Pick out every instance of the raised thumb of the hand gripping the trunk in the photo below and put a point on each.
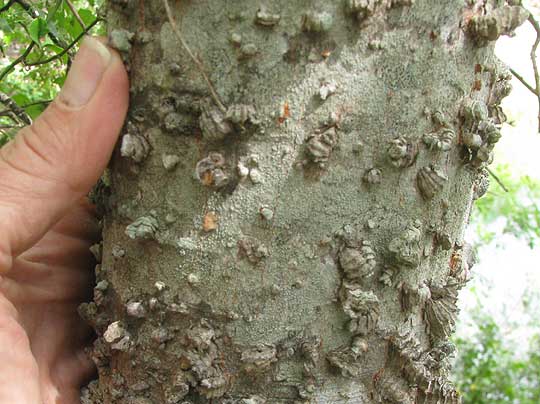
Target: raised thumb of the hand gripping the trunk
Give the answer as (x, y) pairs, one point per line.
(51, 164)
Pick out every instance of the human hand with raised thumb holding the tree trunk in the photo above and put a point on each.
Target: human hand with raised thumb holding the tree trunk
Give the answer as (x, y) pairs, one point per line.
(46, 229)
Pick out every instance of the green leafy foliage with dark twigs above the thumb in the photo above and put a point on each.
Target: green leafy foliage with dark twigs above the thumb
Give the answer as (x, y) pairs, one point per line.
(38, 40)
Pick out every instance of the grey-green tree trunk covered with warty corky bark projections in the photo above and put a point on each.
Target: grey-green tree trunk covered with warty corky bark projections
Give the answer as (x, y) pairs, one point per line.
(285, 211)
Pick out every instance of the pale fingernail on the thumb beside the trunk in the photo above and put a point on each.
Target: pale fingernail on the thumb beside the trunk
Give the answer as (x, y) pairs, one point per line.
(85, 74)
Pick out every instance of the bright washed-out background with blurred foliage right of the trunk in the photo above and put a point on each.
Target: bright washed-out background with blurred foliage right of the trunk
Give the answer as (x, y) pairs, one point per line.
(498, 335)
